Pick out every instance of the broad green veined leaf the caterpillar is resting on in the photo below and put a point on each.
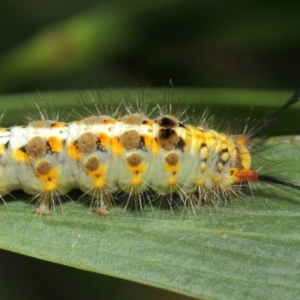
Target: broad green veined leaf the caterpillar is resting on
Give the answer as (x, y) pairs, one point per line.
(248, 248)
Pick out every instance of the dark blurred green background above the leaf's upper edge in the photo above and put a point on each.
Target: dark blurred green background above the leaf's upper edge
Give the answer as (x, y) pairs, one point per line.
(71, 44)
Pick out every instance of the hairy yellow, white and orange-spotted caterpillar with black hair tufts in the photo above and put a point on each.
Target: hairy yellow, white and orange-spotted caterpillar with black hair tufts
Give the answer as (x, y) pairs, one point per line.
(139, 158)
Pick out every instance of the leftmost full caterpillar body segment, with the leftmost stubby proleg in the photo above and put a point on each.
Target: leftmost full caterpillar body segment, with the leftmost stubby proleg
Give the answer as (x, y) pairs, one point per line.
(36, 155)
